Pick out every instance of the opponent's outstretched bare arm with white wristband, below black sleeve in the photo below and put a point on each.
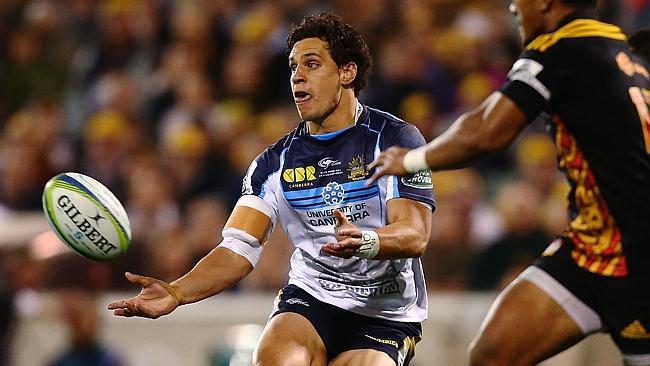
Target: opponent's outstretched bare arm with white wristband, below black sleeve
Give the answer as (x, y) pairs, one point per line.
(490, 127)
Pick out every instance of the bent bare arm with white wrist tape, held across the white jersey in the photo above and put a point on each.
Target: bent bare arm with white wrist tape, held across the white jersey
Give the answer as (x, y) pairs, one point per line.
(405, 236)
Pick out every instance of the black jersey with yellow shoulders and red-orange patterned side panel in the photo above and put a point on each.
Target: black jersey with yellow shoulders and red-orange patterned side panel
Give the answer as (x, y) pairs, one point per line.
(596, 93)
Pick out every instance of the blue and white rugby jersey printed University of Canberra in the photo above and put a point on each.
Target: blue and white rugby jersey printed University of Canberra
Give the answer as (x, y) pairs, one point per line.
(304, 177)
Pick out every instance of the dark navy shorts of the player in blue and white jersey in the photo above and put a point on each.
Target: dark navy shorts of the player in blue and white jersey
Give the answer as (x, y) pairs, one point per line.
(342, 330)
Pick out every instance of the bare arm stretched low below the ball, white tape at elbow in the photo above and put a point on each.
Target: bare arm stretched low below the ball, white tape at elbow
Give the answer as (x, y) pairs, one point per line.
(218, 270)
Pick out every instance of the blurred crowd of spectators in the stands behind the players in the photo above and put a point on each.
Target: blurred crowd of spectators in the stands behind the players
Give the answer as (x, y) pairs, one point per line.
(167, 102)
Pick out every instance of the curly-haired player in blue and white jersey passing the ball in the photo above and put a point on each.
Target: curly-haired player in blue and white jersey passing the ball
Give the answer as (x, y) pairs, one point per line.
(356, 293)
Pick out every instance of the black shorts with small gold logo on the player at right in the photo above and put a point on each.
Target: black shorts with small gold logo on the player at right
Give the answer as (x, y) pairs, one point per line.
(620, 304)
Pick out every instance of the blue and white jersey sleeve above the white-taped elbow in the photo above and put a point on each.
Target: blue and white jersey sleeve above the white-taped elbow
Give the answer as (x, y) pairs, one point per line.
(261, 181)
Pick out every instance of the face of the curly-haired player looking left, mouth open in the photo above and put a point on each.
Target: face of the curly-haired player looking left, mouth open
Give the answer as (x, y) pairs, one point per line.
(315, 79)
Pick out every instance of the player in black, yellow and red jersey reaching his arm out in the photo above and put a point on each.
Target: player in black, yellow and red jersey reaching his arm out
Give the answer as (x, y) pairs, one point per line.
(596, 277)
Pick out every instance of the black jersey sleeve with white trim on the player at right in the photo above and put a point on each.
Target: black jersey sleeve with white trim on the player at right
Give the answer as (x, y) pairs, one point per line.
(535, 78)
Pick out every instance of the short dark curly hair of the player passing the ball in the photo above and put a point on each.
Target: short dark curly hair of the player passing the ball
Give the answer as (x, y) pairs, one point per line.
(345, 43)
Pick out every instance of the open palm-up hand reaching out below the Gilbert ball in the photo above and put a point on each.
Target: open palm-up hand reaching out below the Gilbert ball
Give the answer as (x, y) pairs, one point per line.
(157, 298)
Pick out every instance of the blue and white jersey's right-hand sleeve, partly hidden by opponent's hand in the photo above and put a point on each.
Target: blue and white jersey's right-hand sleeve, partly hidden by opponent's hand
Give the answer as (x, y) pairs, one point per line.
(418, 186)
